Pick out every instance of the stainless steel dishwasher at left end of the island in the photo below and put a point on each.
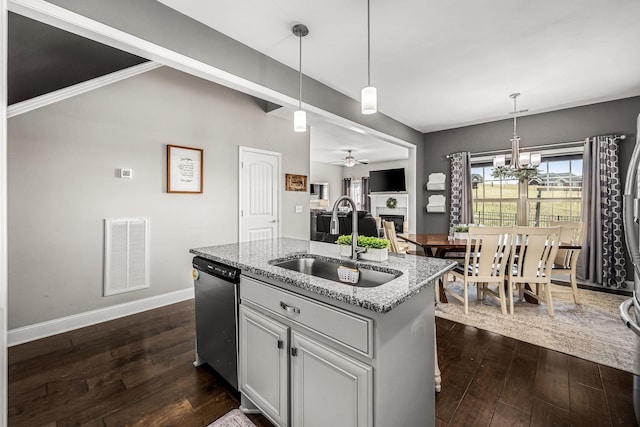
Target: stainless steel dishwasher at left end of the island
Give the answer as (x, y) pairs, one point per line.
(216, 299)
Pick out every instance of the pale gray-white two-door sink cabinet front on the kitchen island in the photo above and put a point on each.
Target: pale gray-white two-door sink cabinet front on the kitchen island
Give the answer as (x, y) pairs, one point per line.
(327, 387)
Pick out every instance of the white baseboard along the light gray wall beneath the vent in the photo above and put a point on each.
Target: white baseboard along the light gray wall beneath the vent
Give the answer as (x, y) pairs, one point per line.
(56, 326)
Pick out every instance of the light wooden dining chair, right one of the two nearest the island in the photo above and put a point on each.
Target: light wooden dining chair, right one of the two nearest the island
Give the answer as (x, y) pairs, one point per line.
(532, 255)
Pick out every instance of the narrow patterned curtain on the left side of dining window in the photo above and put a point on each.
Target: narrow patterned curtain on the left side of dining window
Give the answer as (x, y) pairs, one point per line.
(461, 209)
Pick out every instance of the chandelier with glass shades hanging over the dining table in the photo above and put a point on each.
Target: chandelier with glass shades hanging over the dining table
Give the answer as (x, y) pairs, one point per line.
(522, 165)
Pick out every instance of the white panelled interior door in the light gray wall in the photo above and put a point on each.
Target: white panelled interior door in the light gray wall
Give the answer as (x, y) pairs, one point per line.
(259, 194)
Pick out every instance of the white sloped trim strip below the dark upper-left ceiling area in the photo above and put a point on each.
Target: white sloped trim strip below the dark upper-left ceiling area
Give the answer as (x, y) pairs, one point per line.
(79, 89)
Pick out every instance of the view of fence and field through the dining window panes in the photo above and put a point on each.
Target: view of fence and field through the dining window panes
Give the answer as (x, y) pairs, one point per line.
(554, 195)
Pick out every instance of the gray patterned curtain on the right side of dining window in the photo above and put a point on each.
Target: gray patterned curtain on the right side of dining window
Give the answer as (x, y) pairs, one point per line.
(602, 256)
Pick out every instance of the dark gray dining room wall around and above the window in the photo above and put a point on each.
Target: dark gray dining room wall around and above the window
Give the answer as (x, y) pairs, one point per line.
(573, 124)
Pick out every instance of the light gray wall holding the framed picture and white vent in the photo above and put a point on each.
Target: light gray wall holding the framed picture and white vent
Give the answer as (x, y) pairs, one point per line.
(63, 161)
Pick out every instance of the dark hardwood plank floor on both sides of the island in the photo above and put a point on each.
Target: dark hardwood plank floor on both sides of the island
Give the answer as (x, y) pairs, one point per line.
(138, 371)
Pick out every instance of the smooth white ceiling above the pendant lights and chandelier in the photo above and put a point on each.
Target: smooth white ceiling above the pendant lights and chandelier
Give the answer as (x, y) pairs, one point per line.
(445, 64)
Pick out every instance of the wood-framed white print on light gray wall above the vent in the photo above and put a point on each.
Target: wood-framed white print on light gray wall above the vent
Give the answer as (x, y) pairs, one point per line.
(184, 169)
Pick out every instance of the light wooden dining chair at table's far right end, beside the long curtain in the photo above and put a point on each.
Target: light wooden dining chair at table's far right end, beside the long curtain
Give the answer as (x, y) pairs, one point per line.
(566, 260)
